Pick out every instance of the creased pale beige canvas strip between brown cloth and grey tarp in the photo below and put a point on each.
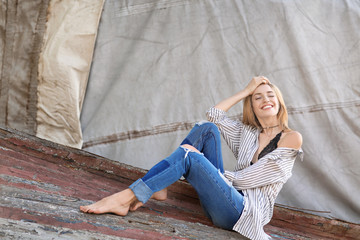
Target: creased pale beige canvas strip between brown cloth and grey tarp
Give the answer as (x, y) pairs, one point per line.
(64, 67)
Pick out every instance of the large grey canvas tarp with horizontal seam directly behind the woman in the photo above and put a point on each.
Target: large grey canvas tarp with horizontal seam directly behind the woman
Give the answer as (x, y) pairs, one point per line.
(159, 65)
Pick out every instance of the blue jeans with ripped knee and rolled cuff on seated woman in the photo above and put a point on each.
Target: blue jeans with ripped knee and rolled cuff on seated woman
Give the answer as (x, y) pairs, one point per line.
(222, 203)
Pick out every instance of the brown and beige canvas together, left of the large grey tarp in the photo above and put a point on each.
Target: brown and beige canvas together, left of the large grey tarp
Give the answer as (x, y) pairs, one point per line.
(46, 49)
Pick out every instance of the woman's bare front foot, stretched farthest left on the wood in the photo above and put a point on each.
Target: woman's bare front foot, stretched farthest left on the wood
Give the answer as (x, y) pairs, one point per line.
(118, 203)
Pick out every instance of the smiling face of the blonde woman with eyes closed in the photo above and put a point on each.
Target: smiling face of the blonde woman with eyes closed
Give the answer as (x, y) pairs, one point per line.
(264, 102)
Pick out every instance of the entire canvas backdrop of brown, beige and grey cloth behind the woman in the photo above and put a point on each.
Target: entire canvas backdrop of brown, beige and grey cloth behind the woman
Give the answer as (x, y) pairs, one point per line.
(159, 65)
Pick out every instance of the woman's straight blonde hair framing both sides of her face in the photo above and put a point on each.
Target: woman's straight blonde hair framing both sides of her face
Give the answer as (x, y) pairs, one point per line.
(249, 117)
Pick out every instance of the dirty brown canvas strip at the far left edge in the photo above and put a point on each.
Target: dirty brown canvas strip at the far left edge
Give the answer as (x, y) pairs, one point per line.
(22, 26)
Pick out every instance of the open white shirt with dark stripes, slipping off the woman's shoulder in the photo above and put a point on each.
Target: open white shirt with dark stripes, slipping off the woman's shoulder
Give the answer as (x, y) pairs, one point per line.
(260, 182)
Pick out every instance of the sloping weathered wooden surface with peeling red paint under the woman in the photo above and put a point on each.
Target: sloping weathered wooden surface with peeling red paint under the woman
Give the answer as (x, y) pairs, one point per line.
(43, 184)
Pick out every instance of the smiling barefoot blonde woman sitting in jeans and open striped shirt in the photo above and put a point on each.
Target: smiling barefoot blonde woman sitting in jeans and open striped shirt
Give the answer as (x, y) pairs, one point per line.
(241, 200)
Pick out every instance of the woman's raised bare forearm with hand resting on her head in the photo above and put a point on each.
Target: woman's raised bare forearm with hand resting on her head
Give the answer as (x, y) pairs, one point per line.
(227, 103)
